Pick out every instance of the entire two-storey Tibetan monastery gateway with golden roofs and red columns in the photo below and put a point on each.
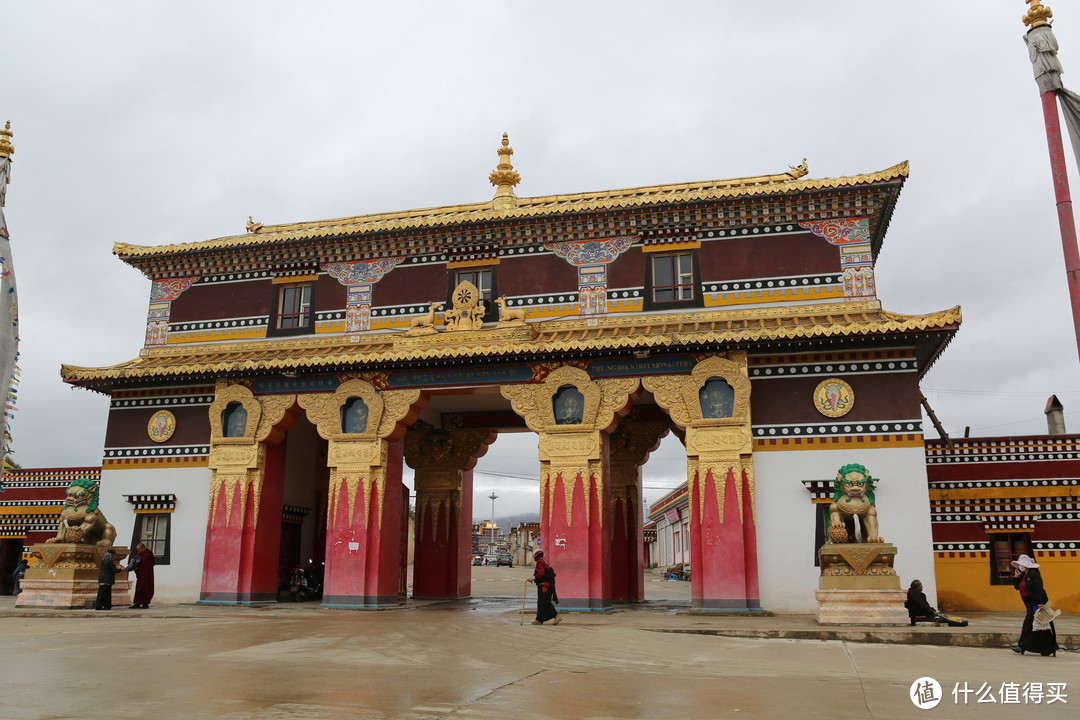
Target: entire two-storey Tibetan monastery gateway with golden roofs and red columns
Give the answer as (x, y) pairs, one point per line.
(290, 374)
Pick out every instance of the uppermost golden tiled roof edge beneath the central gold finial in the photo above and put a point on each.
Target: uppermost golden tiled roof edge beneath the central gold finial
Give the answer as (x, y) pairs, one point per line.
(790, 182)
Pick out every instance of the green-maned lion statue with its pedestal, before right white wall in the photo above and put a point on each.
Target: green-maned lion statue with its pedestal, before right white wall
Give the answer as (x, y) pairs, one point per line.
(858, 585)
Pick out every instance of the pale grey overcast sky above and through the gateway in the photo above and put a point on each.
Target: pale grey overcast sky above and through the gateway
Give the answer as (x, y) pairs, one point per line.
(154, 124)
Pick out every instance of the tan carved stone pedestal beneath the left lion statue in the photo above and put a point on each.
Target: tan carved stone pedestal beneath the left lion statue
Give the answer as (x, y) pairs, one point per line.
(66, 577)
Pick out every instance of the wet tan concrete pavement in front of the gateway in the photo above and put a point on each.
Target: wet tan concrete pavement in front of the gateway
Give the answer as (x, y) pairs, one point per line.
(476, 660)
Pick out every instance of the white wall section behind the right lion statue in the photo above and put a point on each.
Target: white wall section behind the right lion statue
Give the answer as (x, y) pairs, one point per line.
(786, 520)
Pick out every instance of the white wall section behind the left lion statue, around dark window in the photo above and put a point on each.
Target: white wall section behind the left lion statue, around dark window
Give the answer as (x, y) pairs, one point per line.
(182, 579)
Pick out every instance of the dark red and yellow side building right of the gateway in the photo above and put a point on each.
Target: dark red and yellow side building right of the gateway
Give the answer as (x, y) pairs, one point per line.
(993, 499)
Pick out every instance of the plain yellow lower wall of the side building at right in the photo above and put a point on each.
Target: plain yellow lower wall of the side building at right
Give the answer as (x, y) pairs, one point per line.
(964, 586)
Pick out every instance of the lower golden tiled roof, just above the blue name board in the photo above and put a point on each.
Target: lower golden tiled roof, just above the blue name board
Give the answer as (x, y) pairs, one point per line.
(639, 332)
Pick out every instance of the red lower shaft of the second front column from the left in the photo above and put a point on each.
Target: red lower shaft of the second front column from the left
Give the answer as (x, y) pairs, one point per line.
(363, 549)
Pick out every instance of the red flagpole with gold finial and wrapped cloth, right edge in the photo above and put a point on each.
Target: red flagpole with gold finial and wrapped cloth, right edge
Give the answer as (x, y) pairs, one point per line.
(1044, 48)
